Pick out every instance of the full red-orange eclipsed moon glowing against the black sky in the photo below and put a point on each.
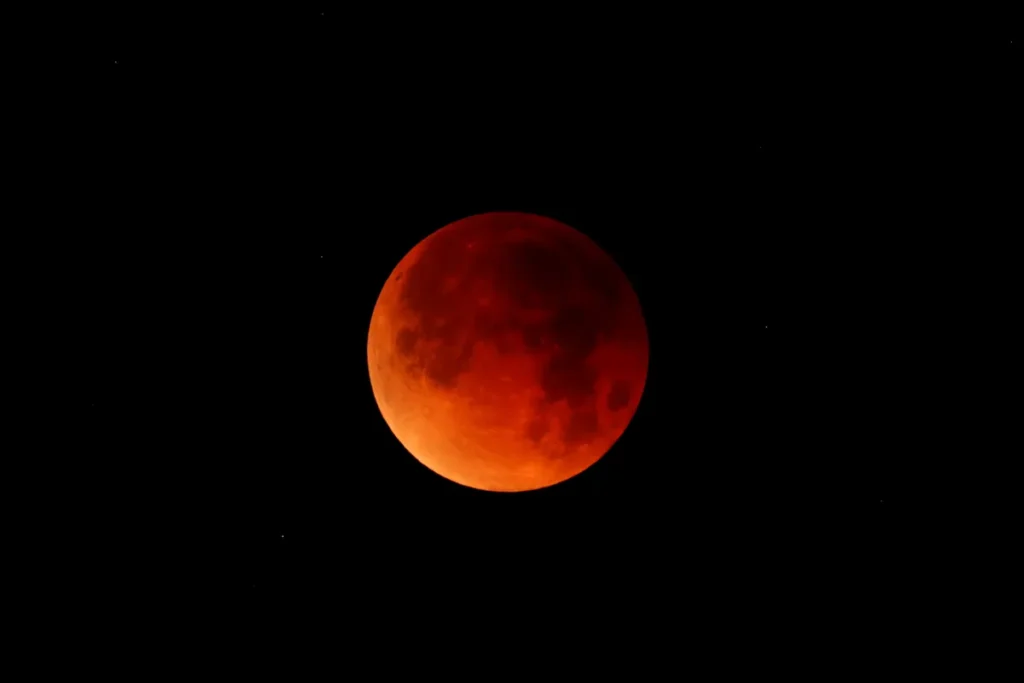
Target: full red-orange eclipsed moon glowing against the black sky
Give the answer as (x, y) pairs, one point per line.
(507, 352)
